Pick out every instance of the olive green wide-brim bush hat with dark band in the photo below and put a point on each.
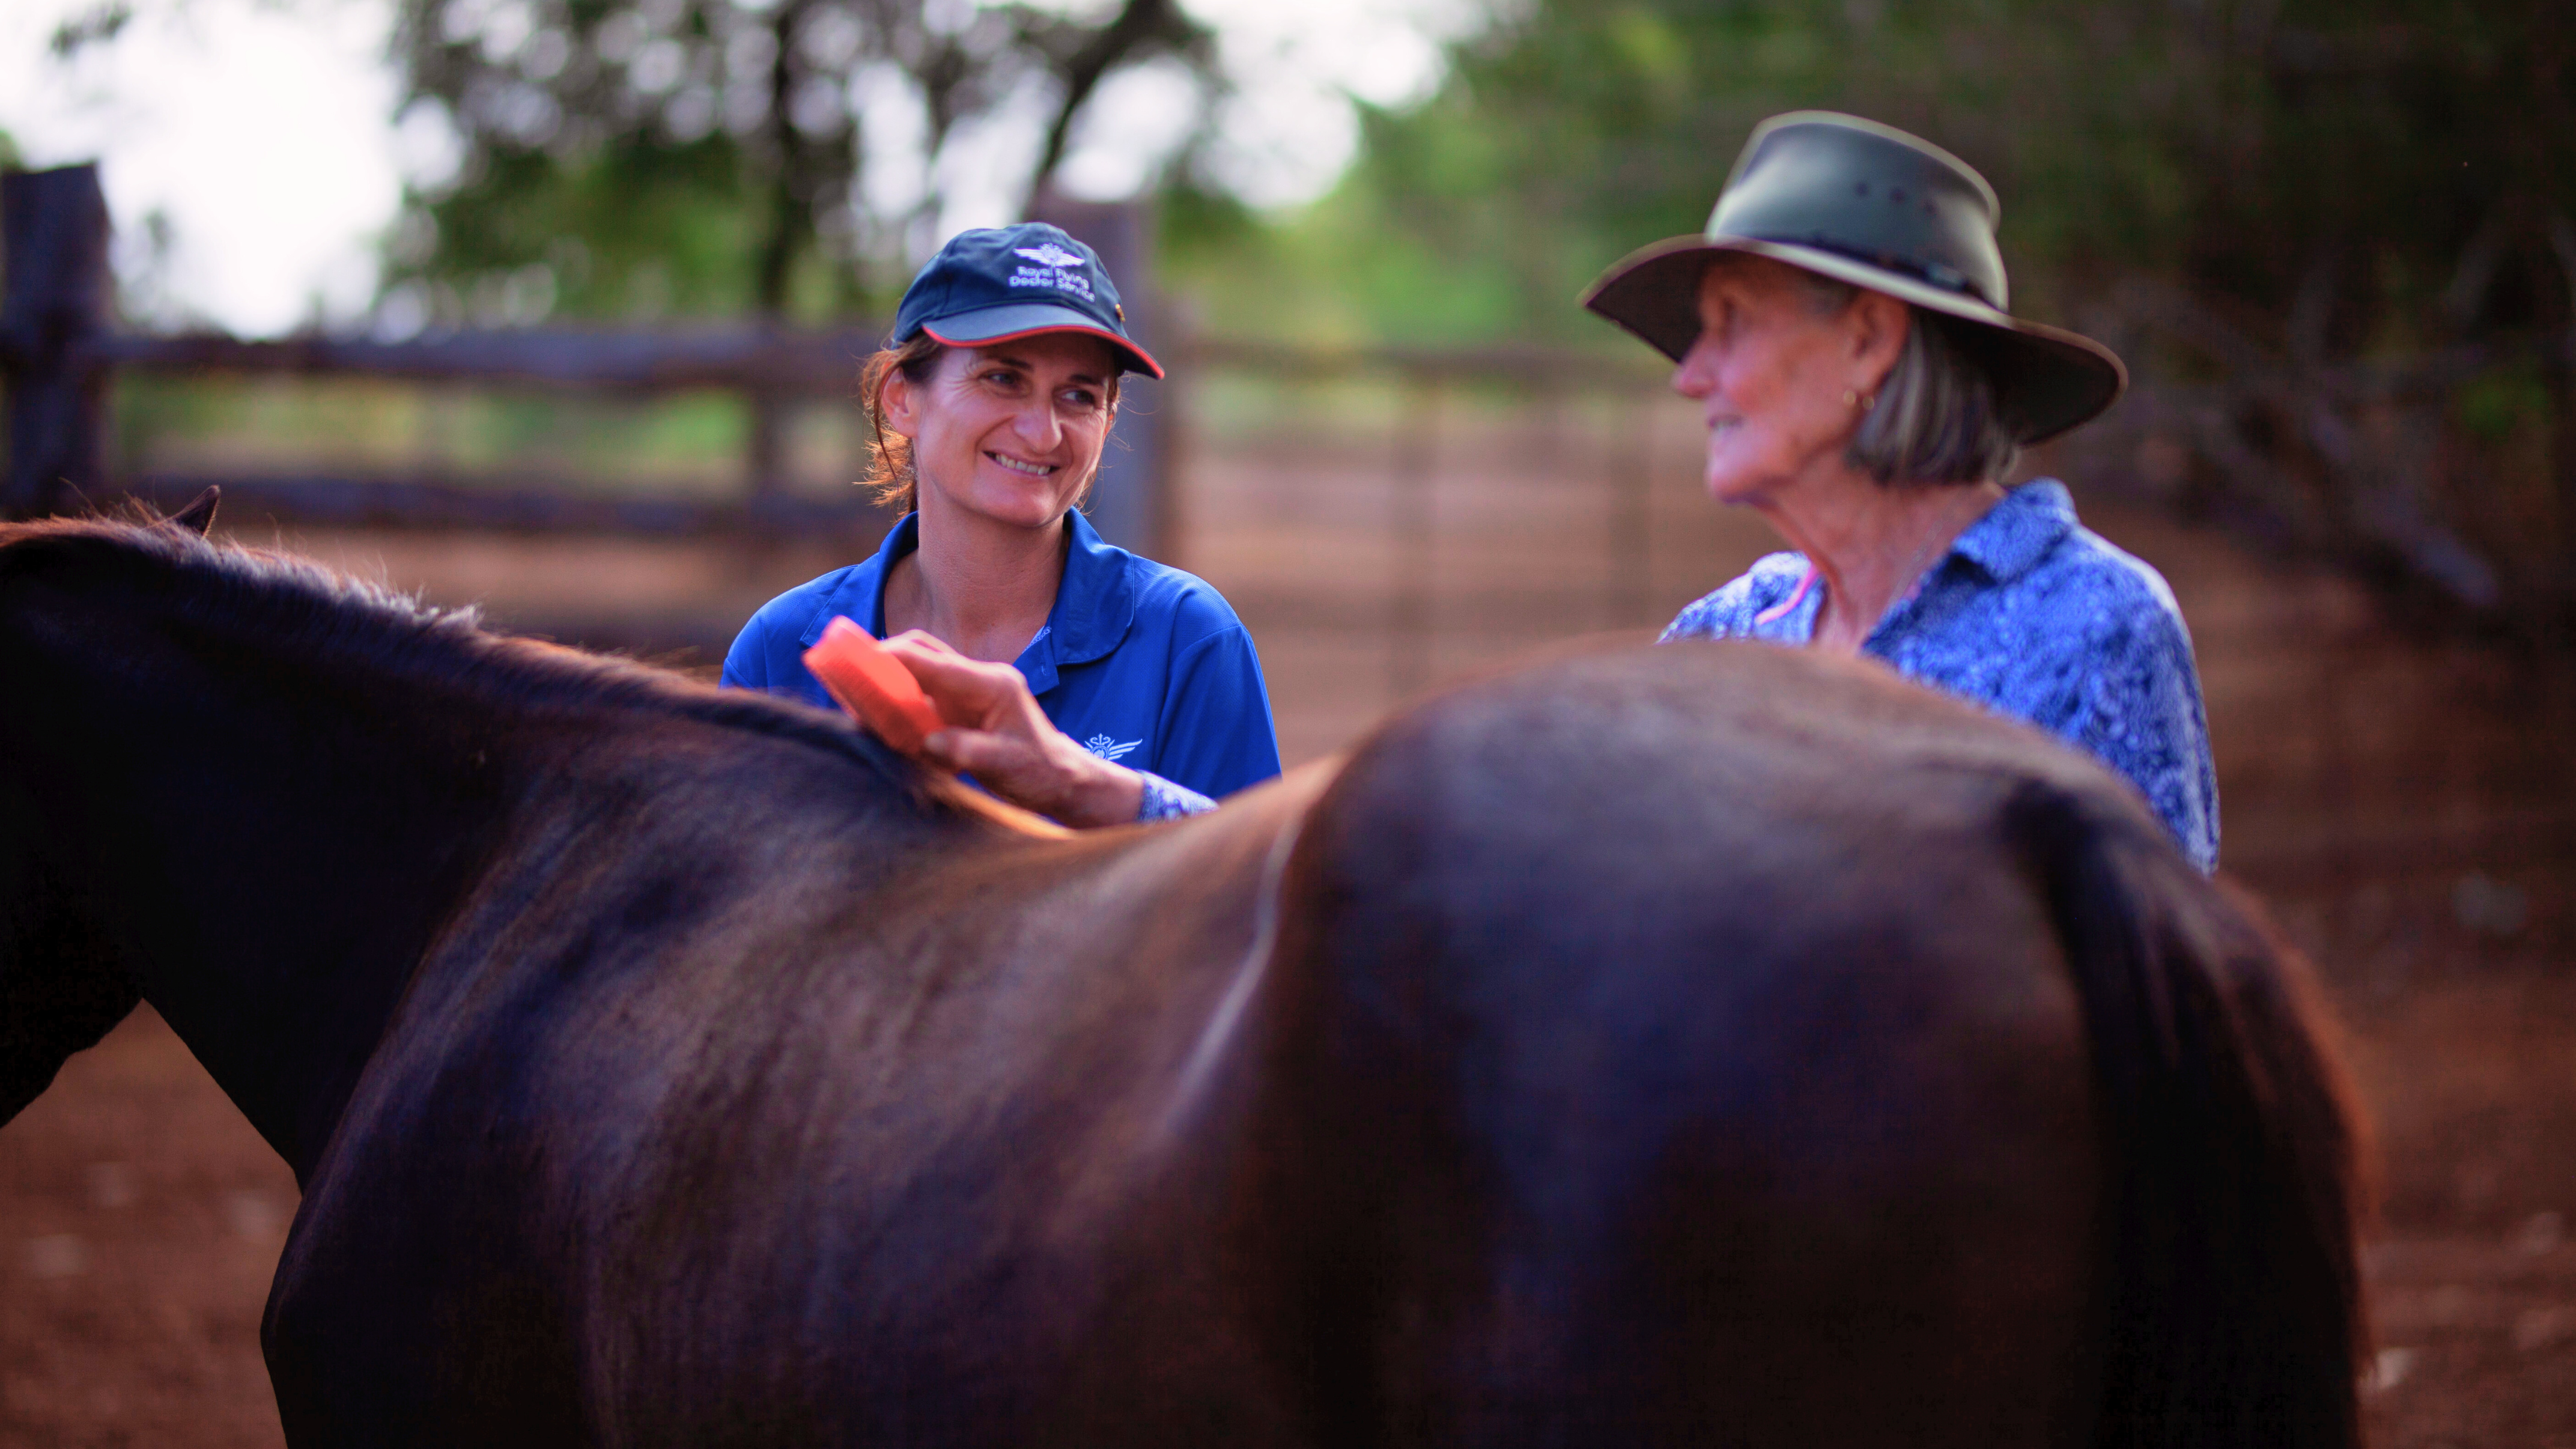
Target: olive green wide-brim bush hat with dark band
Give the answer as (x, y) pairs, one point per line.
(1882, 210)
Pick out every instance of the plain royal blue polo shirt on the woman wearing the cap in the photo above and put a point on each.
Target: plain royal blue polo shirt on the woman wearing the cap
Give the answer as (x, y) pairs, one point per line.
(1137, 661)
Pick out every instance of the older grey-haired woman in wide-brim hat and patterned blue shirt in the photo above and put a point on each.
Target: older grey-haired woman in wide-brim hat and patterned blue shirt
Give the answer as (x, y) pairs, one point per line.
(1843, 326)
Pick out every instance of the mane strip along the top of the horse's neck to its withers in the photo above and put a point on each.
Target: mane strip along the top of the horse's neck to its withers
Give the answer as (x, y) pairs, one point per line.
(352, 620)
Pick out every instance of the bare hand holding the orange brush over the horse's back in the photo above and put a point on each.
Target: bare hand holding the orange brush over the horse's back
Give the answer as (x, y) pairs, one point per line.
(1001, 736)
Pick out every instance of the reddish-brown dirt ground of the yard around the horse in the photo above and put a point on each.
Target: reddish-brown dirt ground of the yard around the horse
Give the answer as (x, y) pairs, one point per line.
(2402, 801)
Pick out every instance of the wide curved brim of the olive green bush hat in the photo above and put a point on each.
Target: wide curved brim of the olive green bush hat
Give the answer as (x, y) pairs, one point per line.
(2047, 378)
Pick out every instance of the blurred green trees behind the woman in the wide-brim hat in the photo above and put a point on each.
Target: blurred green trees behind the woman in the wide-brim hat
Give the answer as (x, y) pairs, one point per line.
(2271, 197)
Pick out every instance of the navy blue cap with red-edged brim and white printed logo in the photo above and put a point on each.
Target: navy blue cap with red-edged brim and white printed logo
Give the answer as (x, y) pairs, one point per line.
(1014, 282)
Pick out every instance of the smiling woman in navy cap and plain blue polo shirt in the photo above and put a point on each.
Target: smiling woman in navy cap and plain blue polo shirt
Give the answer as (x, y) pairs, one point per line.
(1096, 687)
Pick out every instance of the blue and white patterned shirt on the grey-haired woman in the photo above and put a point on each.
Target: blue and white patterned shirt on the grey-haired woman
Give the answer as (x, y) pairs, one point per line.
(2029, 615)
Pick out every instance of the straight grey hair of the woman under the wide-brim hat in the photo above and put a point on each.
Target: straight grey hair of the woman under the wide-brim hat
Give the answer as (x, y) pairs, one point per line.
(1933, 416)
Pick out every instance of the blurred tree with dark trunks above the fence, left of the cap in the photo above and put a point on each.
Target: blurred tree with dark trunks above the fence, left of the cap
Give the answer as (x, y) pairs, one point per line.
(635, 159)
